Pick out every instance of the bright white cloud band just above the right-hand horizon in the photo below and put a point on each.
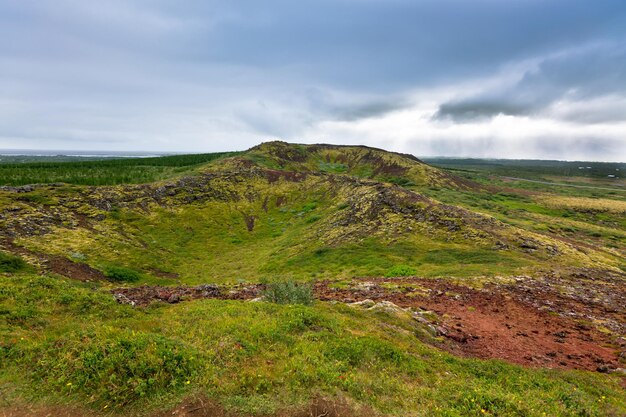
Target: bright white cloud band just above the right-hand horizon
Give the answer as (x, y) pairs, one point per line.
(412, 131)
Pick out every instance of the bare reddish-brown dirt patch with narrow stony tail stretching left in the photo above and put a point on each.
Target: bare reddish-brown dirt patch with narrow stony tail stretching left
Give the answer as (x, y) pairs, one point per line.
(493, 324)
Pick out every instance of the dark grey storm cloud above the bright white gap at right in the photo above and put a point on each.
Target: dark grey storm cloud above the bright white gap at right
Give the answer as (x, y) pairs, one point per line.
(580, 75)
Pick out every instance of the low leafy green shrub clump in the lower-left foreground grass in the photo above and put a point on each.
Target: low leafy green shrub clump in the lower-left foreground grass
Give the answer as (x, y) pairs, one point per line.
(113, 367)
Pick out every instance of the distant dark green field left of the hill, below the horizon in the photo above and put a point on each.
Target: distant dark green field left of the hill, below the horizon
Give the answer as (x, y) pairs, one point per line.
(99, 172)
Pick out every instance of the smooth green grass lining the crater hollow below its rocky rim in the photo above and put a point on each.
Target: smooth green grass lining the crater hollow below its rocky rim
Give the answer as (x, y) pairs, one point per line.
(211, 243)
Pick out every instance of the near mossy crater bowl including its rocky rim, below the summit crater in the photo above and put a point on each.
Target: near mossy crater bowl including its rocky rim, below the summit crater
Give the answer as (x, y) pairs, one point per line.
(247, 225)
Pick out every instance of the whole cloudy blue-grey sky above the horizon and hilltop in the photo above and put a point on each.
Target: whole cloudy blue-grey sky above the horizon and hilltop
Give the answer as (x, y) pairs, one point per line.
(485, 78)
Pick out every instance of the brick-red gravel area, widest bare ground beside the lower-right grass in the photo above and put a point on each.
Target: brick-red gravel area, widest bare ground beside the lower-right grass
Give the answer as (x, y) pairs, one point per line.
(496, 326)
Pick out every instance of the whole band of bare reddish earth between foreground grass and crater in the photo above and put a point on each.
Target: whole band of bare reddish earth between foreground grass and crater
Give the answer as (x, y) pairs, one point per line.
(530, 322)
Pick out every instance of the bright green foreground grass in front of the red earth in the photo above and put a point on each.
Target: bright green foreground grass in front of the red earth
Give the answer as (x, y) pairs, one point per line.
(87, 350)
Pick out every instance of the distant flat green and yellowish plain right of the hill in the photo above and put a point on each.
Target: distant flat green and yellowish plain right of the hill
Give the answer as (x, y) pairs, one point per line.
(553, 199)
